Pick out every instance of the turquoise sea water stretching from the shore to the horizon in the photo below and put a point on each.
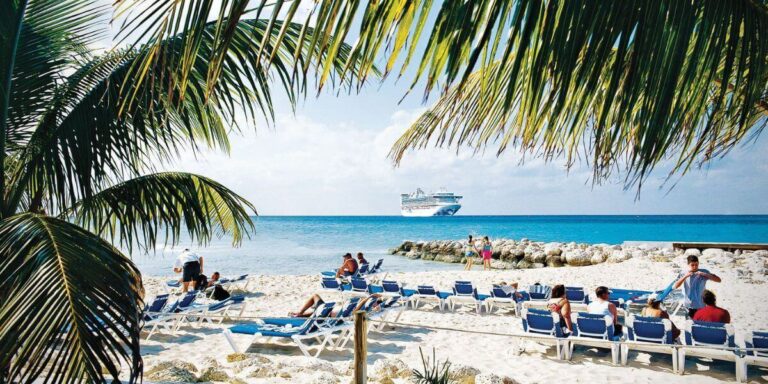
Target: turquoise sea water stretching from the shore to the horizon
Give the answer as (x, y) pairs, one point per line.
(305, 245)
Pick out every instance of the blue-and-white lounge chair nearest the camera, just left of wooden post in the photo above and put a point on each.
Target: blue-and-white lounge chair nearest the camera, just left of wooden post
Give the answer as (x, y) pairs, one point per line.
(298, 330)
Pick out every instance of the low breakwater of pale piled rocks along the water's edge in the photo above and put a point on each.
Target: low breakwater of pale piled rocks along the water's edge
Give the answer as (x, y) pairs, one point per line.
(523, 254)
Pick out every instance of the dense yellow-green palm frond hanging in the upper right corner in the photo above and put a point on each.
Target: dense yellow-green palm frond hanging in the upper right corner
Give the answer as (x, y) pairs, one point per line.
(630, 83)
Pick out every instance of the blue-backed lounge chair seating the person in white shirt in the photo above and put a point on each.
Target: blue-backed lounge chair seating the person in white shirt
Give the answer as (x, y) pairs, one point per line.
(594, 331)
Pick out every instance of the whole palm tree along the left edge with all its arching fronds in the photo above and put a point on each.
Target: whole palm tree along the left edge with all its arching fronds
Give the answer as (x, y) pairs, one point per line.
(82, 137)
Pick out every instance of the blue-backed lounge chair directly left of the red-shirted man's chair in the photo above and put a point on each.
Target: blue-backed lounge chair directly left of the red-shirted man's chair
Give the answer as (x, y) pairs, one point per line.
(649, 334)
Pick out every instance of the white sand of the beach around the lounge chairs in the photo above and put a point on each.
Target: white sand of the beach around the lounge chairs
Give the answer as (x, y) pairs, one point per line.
(277, 295)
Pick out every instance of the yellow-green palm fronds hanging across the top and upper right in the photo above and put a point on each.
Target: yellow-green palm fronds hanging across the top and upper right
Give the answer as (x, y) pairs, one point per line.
(624, 85)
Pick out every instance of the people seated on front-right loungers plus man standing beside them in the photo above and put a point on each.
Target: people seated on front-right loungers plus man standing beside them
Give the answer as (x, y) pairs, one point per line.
(701, 303)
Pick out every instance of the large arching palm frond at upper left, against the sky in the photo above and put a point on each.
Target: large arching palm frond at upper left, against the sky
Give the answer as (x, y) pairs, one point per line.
(85, 138)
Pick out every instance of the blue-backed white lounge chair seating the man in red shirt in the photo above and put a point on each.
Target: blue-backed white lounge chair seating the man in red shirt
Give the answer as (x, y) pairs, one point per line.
(718, 336)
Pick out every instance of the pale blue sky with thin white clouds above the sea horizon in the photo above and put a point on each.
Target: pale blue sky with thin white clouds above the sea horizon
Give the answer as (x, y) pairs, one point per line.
(329, 158)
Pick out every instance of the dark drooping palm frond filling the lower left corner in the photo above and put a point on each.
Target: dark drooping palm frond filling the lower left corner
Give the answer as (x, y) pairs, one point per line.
(71, 304)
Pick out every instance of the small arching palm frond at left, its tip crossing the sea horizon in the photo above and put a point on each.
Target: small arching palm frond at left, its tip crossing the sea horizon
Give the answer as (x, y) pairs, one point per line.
(140, 210)
